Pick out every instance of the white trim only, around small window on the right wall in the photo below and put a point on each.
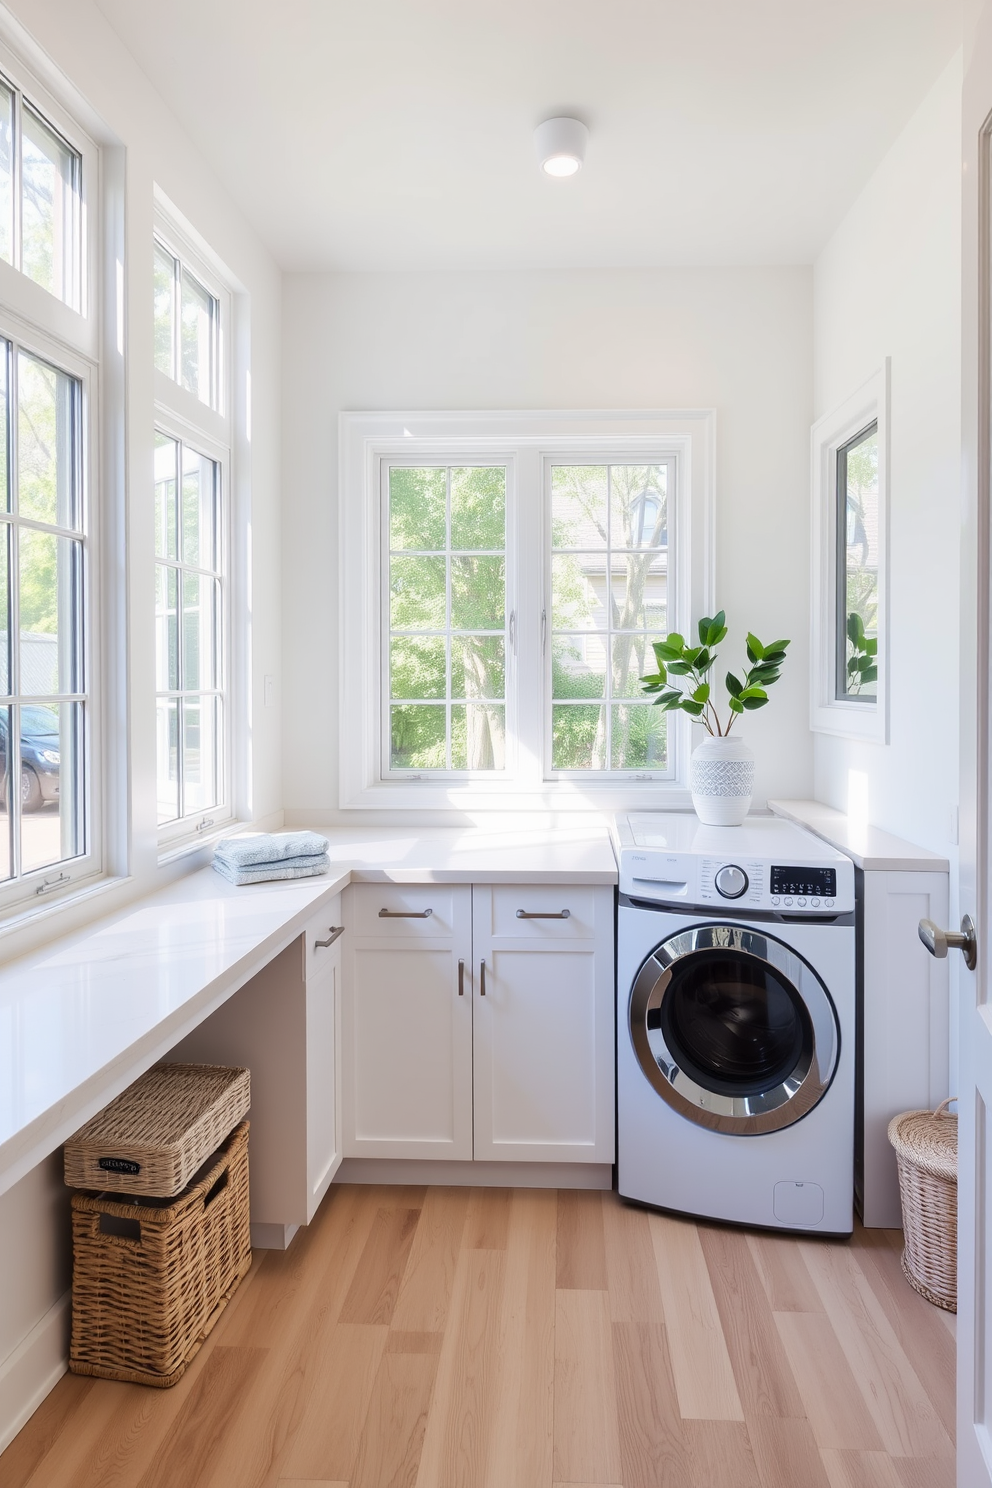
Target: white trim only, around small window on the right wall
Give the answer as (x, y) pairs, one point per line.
(848, 718)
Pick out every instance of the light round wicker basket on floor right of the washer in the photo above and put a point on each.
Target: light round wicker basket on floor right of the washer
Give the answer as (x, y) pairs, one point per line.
(927, 1154)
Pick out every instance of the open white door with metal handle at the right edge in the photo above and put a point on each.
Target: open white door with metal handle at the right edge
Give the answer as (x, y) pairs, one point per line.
(975, 1078)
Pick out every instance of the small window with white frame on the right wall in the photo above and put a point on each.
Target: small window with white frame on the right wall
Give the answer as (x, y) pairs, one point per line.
(850, 639)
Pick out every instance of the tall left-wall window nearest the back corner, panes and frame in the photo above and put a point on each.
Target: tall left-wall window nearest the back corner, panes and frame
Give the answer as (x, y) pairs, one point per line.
(193, 525)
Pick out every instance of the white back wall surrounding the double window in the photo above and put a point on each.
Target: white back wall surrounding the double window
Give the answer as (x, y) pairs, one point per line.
(738, 340)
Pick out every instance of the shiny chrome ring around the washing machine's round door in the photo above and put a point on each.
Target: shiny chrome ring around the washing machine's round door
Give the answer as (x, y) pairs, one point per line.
(783, 1103)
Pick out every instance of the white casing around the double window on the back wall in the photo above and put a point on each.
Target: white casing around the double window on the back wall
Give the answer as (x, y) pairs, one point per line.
(527, 444)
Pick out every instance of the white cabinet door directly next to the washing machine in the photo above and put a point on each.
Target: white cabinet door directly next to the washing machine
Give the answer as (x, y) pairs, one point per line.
(544, 1029)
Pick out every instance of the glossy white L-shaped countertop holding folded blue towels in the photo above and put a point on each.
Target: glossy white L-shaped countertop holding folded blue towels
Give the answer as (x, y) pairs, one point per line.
(86, 1017)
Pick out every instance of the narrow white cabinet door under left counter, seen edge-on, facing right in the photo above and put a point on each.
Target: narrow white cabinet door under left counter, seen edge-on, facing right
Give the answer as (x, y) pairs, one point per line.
(323, 1054)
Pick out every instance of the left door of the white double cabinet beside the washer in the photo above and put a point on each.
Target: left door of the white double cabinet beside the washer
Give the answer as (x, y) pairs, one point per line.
(408, 1022)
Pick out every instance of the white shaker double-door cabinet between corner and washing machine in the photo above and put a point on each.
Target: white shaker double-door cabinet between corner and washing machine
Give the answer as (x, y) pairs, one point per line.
(483, 1029)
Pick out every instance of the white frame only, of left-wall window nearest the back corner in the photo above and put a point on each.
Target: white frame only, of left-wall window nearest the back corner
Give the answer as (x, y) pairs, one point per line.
(179, 414)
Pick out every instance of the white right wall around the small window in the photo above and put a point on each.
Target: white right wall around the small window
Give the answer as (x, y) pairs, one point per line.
(889, 283)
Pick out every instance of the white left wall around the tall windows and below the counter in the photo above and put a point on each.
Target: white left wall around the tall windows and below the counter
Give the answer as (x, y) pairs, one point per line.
(77, 38)
